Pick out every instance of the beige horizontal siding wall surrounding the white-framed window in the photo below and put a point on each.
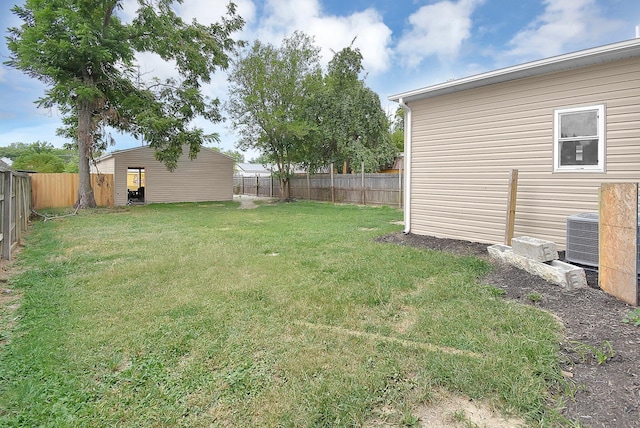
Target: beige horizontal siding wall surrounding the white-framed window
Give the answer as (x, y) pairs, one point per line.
(465, 144)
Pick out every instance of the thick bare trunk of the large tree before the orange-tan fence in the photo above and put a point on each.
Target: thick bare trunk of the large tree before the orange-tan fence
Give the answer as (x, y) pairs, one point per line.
(86, 198)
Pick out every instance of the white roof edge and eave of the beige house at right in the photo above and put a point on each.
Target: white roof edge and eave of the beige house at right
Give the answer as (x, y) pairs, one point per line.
(598, 55)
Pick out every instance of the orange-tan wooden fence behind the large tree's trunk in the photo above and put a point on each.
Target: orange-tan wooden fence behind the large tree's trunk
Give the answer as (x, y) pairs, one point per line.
(61, 190)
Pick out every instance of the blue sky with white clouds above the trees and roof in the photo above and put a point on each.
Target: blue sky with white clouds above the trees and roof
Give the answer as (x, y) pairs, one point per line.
(406, 44)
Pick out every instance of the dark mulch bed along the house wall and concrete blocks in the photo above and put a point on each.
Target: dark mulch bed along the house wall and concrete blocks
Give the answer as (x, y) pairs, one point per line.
(601, 387)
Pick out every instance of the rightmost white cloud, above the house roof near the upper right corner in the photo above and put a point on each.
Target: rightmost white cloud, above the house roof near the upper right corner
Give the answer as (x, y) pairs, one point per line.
(564, 25)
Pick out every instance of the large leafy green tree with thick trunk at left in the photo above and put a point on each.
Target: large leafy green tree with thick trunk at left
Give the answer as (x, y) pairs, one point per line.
(86, 55)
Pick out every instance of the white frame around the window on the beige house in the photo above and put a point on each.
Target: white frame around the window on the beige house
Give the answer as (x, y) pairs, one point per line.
(600, 108)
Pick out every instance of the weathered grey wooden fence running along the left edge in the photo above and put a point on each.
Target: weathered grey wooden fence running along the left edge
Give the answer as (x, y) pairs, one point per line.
(15, 208)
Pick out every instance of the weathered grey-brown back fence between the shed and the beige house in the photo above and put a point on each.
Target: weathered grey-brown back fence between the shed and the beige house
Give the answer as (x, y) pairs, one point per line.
(373, 189)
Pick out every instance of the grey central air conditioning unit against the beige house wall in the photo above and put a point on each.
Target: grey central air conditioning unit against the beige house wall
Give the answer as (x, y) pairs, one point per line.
(582, 239)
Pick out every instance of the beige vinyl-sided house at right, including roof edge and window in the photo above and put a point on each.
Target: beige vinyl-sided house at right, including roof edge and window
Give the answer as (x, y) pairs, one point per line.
(568, 124)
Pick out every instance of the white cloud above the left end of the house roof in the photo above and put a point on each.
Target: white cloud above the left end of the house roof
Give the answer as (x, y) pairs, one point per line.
(437, 29)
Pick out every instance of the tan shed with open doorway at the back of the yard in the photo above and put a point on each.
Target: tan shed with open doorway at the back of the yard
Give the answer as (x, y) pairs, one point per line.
(140, 178)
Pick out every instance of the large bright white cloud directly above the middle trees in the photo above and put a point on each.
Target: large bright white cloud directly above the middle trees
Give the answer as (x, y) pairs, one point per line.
(331, 33)
